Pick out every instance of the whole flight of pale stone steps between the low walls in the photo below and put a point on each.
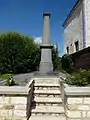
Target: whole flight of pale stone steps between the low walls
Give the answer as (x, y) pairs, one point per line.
(47, 102)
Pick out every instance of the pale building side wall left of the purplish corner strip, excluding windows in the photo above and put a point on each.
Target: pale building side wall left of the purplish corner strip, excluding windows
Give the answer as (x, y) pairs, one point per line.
(73, 30)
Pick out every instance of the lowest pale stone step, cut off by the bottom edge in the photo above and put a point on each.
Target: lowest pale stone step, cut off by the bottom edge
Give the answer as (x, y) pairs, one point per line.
(47, 118)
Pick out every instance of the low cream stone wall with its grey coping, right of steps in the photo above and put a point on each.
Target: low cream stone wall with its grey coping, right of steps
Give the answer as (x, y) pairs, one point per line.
(76, 101)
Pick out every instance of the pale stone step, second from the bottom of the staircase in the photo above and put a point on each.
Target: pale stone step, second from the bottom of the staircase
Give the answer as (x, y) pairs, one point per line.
(48, 110)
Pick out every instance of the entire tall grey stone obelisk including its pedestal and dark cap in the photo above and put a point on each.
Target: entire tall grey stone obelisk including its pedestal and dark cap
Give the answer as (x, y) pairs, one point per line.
(46, 66)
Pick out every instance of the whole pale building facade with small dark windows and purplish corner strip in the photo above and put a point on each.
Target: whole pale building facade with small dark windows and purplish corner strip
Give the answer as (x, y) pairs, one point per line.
(77, 28)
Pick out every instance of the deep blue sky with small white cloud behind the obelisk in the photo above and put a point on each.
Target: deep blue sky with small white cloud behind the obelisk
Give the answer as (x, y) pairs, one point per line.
(26, 17)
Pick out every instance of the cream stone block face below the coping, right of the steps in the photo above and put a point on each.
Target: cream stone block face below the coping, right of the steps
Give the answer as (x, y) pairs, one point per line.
(78, 108)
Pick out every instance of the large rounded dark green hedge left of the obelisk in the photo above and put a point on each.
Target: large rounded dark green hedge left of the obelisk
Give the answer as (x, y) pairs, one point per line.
(18, 53)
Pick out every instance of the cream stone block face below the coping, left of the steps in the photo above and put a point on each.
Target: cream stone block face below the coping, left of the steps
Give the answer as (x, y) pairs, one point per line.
(13, 107)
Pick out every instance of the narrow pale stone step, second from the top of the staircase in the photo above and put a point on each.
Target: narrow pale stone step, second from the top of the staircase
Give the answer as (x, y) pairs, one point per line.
(47, 92)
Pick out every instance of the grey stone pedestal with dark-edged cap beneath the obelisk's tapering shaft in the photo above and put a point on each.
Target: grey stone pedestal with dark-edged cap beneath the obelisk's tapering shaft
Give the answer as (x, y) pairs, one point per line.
(46, 65)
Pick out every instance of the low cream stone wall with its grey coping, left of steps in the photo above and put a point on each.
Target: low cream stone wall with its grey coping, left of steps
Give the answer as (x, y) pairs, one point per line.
(15, 102)
